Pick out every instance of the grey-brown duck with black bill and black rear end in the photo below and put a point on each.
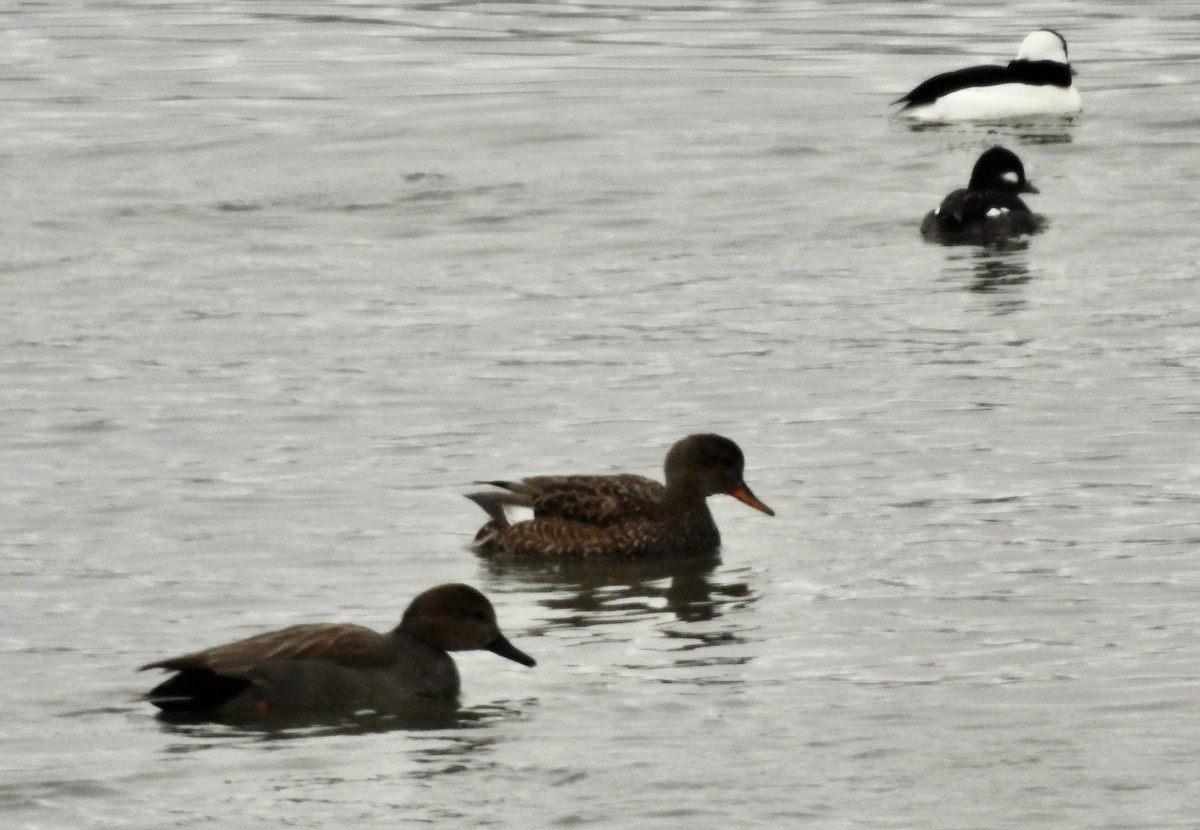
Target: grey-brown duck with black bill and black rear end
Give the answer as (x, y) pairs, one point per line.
(339, 666)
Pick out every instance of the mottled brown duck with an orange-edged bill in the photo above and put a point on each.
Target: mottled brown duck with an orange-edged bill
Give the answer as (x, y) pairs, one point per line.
(622, 516)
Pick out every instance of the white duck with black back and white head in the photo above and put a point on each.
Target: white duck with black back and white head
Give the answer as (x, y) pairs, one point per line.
(1039, 83)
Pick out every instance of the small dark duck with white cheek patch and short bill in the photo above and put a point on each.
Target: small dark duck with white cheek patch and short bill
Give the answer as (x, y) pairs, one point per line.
(989, 209)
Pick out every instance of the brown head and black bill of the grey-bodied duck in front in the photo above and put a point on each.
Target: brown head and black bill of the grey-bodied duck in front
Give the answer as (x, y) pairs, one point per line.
(459, 618)
